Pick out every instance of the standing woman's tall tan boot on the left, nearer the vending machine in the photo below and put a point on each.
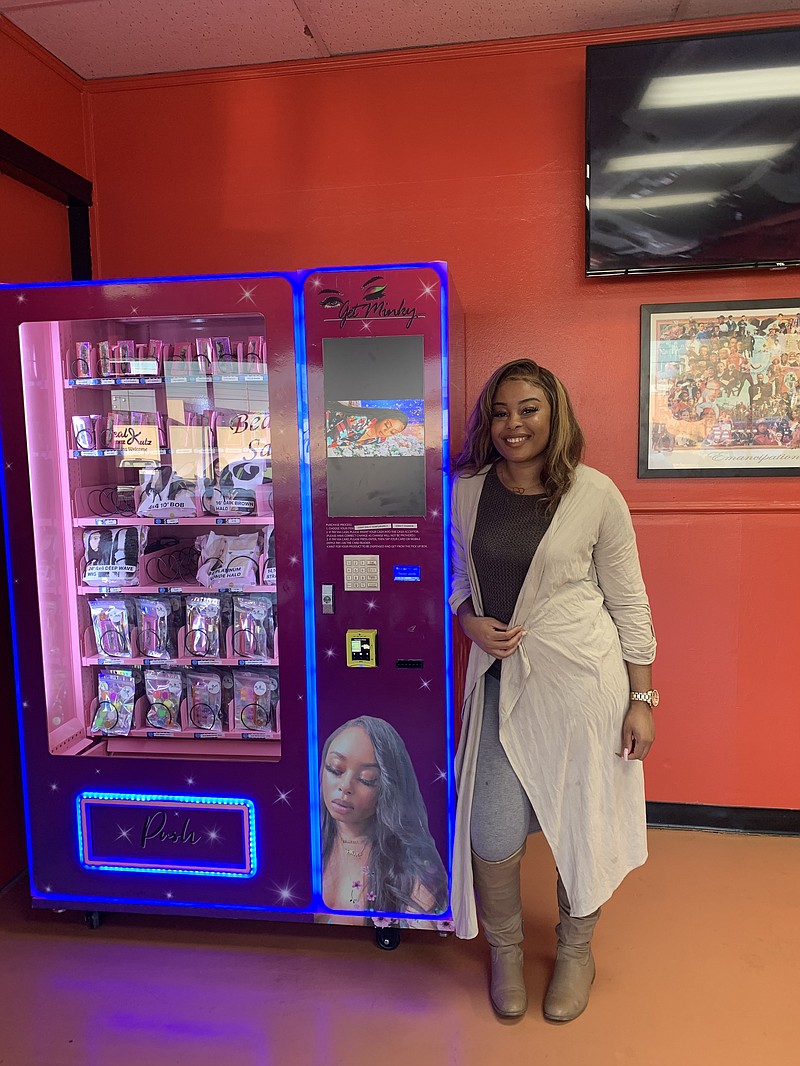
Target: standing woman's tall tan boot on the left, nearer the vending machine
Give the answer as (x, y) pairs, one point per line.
(500, 910)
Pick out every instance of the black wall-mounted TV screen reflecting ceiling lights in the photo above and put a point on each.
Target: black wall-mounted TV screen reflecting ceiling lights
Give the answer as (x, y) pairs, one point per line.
(694, 154)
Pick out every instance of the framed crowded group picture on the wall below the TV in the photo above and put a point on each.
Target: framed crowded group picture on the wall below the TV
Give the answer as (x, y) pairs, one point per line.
(721, 390)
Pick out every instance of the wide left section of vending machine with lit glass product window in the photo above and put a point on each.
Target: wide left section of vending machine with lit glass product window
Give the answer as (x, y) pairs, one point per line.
(154, 529)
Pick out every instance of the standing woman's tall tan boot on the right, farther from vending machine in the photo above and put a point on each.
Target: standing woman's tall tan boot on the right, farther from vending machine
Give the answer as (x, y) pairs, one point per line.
(571, 984)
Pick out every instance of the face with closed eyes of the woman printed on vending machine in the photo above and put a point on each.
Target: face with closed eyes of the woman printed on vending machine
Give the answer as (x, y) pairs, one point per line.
(351, 779)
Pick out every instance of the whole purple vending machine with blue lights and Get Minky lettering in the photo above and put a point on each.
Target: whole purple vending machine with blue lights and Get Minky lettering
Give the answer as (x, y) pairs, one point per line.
(226, 512)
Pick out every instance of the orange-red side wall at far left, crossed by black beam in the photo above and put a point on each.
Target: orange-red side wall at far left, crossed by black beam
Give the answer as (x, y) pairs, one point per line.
(42, 104)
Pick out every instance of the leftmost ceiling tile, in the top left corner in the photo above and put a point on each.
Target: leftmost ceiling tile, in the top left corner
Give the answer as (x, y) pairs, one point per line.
(106, 39)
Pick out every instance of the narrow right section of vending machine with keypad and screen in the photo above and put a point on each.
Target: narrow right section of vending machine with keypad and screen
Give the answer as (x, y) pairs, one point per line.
(377, 350)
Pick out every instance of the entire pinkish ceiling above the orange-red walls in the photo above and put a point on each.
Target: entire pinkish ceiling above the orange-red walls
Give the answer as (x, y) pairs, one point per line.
(105, 39)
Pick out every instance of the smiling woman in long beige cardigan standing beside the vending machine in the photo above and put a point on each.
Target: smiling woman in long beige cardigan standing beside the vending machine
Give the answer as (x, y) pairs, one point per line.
(558, 709)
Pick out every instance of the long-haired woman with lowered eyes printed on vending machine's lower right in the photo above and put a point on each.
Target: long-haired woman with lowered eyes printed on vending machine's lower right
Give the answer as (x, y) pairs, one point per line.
(378, 853)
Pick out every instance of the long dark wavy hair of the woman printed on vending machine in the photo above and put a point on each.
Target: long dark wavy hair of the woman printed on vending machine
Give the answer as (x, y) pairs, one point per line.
(404, 857)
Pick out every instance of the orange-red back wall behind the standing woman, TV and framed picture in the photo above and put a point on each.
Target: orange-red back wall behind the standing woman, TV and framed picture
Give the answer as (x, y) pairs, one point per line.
(476, 156)
